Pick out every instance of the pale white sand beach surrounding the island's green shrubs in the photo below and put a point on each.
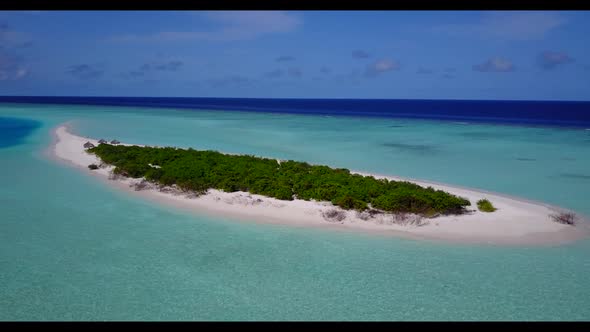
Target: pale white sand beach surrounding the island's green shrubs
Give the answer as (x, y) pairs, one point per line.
(516, 222)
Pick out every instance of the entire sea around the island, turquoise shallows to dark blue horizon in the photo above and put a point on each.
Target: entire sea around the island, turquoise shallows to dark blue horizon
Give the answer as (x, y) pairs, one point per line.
(73, 248)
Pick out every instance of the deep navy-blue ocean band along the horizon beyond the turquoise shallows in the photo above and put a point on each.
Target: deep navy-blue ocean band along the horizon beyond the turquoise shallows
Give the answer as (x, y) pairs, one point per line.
(552, 113)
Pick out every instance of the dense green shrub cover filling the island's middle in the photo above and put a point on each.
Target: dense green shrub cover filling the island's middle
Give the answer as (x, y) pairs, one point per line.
(199, 171)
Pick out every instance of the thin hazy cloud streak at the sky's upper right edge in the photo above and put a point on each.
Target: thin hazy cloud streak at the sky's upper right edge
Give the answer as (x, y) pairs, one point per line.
(507, 25)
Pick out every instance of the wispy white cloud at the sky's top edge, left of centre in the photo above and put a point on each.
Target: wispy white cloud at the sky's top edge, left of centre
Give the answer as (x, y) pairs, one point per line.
(230, 26)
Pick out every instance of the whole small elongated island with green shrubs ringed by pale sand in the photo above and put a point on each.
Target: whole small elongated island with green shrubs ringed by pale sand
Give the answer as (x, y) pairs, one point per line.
(300, 194)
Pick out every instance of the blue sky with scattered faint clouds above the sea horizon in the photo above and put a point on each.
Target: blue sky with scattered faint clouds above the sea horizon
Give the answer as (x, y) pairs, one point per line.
(519, 55)
